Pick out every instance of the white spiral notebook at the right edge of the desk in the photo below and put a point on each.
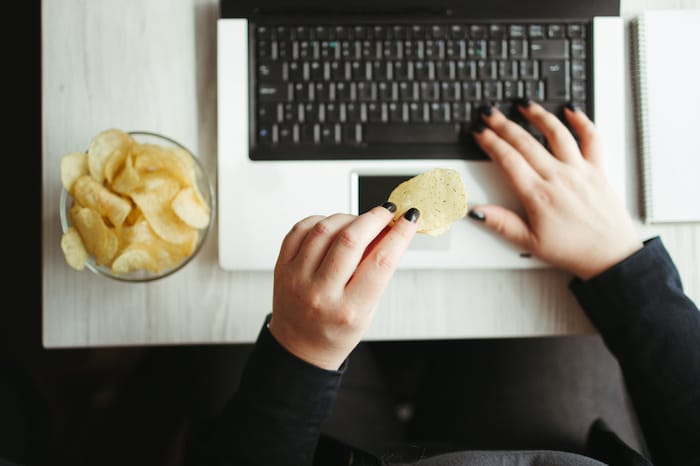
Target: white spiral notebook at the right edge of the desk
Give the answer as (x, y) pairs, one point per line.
(666, 75)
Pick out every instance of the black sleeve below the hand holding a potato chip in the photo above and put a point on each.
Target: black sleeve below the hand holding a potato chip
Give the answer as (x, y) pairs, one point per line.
(275, 416)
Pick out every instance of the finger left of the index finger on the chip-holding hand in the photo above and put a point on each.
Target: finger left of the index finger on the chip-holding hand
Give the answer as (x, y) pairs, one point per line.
(350, 244)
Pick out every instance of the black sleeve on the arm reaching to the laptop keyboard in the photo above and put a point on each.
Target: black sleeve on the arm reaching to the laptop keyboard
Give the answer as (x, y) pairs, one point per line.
(653, 329)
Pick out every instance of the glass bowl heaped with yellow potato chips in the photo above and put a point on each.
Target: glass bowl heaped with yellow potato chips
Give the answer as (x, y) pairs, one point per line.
(136, 206)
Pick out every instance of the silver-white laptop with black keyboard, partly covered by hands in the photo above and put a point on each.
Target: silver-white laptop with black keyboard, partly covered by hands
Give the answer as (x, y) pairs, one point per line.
(324, 107)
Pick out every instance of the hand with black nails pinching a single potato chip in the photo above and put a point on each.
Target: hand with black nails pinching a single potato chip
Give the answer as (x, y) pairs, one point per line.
(330, 273)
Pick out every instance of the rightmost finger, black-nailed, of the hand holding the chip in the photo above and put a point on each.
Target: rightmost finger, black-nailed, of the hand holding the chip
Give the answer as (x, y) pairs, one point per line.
(376, 269)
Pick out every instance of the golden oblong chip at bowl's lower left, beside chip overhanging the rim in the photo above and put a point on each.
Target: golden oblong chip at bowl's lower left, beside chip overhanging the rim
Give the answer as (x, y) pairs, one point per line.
(99, 239)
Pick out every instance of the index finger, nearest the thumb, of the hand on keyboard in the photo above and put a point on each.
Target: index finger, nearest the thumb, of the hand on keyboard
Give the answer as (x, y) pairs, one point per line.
(518, 172)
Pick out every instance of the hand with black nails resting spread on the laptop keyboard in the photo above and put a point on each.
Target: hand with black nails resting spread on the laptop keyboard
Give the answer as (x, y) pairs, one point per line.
(574, 219)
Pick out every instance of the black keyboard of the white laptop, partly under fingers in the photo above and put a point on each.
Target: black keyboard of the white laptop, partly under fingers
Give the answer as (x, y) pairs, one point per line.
(364, 91)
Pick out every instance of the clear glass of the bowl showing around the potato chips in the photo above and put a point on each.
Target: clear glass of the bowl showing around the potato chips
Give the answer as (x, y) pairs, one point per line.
(206, 190)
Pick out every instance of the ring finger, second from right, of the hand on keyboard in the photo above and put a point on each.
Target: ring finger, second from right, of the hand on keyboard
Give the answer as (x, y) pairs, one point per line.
(559, 138)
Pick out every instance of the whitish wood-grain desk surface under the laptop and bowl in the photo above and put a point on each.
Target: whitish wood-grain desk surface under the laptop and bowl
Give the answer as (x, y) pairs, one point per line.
(151, 65)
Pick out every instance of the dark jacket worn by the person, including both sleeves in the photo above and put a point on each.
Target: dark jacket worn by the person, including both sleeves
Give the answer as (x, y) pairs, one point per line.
(638, 306)
